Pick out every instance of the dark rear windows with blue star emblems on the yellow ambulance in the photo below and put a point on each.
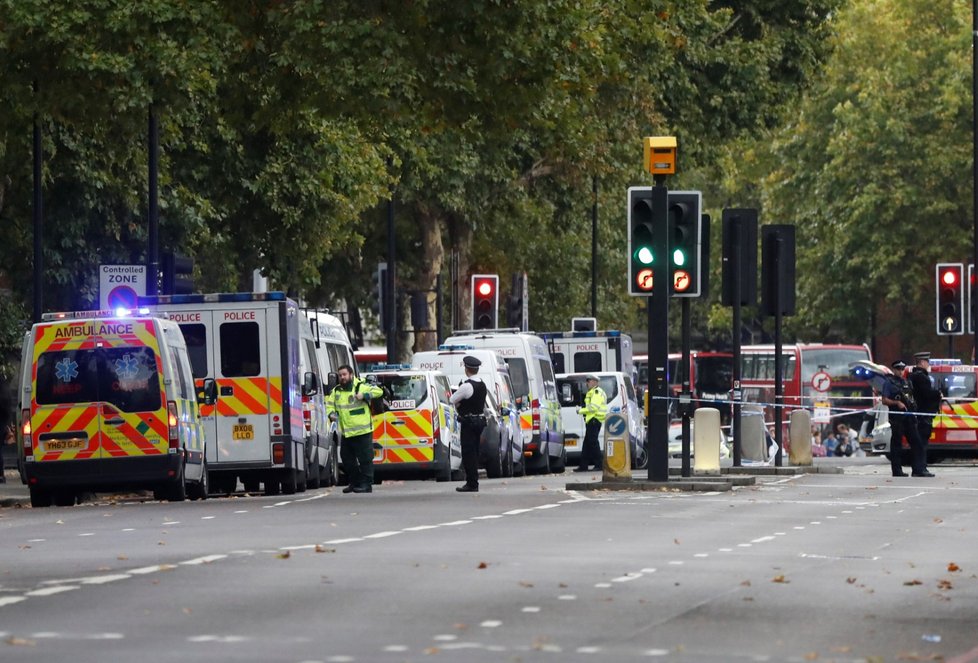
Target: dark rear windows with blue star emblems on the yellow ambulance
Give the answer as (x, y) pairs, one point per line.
(126, 377)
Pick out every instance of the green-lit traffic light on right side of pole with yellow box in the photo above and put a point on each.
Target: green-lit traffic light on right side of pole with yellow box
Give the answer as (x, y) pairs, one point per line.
(685, 242)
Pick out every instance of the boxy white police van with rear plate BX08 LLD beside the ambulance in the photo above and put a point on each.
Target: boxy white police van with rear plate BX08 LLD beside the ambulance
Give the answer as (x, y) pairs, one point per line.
(249, 344)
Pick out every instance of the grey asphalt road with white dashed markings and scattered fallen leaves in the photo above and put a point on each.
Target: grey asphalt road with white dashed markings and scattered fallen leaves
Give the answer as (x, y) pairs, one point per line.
(851, 567)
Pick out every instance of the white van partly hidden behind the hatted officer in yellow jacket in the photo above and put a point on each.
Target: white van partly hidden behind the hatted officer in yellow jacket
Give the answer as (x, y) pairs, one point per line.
(622, 399)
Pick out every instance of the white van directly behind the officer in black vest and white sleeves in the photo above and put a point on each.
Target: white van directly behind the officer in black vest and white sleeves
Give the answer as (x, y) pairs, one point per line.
(509, 461)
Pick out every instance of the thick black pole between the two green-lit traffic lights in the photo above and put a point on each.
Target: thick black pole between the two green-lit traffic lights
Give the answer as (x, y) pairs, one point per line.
(657, 438)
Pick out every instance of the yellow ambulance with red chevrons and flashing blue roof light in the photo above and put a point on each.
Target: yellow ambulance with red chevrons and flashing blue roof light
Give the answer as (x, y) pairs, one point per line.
(108, 402)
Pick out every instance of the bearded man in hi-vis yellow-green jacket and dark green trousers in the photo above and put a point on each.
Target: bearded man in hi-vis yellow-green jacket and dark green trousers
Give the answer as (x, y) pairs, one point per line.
(349, 403)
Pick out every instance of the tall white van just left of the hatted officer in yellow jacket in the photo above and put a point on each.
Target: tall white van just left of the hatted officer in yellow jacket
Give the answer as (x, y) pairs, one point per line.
(531, 371)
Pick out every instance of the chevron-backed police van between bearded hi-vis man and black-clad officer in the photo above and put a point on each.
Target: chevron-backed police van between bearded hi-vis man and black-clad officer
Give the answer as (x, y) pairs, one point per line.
(418, 434)
